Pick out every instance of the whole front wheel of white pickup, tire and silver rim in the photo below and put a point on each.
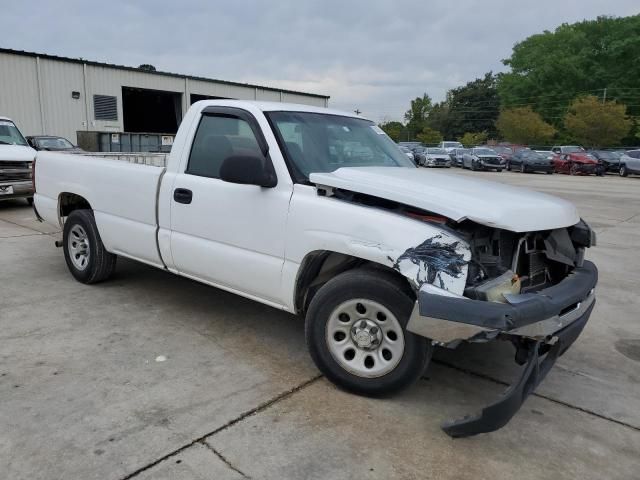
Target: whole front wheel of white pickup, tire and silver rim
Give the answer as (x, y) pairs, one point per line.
(356, 333)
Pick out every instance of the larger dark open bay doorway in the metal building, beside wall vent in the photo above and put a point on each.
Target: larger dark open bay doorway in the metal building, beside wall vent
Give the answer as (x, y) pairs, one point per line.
(151, 111)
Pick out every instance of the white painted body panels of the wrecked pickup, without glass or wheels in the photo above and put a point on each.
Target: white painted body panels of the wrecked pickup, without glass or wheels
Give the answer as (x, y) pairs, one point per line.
(251, 240)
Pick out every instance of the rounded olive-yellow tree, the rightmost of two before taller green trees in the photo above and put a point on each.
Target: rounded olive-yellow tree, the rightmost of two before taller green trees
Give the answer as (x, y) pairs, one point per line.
(593, 123)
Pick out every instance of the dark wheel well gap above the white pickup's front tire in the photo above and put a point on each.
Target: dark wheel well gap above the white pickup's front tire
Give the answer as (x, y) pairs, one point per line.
(319, 267)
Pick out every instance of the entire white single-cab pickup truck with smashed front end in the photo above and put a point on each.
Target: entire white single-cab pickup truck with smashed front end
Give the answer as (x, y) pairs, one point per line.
(318, 213)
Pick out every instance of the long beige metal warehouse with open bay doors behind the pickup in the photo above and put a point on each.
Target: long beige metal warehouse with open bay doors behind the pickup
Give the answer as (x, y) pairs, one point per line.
(110, 107)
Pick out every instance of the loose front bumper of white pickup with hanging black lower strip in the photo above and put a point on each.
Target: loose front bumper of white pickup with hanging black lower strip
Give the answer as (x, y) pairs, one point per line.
(542, 325)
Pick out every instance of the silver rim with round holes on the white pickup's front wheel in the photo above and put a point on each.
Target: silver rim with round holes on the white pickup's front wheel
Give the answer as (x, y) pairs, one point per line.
(365, 338)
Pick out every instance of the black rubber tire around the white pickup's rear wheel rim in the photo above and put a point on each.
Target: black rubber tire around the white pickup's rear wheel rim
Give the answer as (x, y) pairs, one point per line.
(100, 264)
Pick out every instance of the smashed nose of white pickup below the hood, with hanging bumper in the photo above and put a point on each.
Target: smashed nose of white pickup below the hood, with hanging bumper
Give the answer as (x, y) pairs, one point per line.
(532, 289)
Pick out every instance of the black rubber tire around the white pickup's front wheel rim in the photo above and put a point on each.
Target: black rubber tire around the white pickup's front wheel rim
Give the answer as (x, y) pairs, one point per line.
(386, 290)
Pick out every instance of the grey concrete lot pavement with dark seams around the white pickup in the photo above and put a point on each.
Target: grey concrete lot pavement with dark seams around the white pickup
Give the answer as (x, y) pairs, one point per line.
(152, 376)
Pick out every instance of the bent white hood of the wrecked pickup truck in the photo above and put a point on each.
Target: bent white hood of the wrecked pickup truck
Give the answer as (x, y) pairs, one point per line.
(456, 197)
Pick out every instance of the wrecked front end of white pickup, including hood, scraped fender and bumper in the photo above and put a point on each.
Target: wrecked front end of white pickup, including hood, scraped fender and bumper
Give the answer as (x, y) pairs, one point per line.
(498, 263)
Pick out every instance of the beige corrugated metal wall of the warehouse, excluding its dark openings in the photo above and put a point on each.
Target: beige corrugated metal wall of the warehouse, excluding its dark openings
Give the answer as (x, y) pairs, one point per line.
(37, 93)
